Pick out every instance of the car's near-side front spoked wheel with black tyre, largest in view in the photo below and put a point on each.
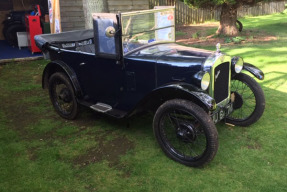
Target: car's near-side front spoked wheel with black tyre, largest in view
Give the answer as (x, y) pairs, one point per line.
(185, 132)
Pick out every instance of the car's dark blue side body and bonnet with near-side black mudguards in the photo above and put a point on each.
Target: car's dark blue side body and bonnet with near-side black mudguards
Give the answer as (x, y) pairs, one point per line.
(141, 80)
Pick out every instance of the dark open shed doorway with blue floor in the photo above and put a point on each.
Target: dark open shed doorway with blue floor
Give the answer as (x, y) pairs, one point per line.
(12, 24)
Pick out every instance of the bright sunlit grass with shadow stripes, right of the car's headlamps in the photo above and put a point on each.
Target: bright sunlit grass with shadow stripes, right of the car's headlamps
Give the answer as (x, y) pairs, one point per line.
(271, 58)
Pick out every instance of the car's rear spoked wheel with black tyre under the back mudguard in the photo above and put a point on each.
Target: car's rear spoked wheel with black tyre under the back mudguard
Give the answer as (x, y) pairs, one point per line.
(62, 96)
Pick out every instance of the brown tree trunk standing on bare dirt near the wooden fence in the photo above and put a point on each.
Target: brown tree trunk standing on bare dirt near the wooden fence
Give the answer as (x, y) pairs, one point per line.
(228, 19)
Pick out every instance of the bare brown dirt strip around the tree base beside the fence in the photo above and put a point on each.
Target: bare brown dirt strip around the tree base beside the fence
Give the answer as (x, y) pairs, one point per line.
(204, 35)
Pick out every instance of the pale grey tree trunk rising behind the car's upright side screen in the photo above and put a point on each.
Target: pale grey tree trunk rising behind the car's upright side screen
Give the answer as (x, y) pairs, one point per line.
(93, 6)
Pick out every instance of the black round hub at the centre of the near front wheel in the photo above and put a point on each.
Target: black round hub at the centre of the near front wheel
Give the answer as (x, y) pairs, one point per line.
(186, 133)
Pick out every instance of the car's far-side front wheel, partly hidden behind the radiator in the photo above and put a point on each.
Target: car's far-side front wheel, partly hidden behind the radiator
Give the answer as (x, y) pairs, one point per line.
(249, 103)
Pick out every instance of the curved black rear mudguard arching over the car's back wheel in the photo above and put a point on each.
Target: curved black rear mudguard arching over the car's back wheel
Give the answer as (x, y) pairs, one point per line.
(59, 66)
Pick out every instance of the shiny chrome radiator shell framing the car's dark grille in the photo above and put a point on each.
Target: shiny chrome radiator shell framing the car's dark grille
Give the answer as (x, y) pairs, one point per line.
(210, 64)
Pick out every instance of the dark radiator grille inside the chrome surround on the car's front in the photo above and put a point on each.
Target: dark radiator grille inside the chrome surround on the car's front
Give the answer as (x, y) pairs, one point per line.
(221, 82)
